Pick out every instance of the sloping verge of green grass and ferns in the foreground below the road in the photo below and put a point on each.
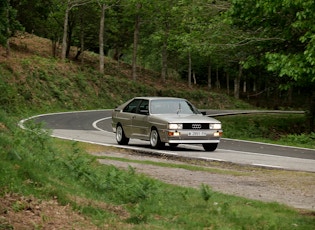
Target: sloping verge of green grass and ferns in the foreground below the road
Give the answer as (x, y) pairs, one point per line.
(62, 169)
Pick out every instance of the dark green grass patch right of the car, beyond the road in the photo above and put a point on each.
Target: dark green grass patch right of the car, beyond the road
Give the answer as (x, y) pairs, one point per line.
(283, 129)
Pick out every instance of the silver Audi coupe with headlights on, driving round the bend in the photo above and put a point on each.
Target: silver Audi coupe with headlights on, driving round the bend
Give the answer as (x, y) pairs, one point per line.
(163, 120)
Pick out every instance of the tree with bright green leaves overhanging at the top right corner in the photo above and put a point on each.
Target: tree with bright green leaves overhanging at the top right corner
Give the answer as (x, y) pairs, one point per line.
(288, 26)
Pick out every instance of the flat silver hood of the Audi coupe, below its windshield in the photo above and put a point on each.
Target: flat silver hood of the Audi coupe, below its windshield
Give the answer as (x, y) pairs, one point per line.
(184, 118)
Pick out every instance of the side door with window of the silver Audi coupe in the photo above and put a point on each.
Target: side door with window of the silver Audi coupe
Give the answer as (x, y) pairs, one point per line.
(140, 125)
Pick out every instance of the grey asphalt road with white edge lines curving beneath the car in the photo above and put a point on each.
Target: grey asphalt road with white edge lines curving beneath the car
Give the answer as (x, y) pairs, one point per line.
(95, 127)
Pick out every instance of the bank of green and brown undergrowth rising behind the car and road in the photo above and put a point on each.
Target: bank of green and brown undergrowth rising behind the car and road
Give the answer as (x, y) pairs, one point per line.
(48, 85)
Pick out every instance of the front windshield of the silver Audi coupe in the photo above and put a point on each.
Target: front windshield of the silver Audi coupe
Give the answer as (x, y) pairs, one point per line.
(172, 106)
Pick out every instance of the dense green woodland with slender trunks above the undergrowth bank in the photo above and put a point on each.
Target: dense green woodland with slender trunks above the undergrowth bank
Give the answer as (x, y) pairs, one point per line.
(262, 50)
